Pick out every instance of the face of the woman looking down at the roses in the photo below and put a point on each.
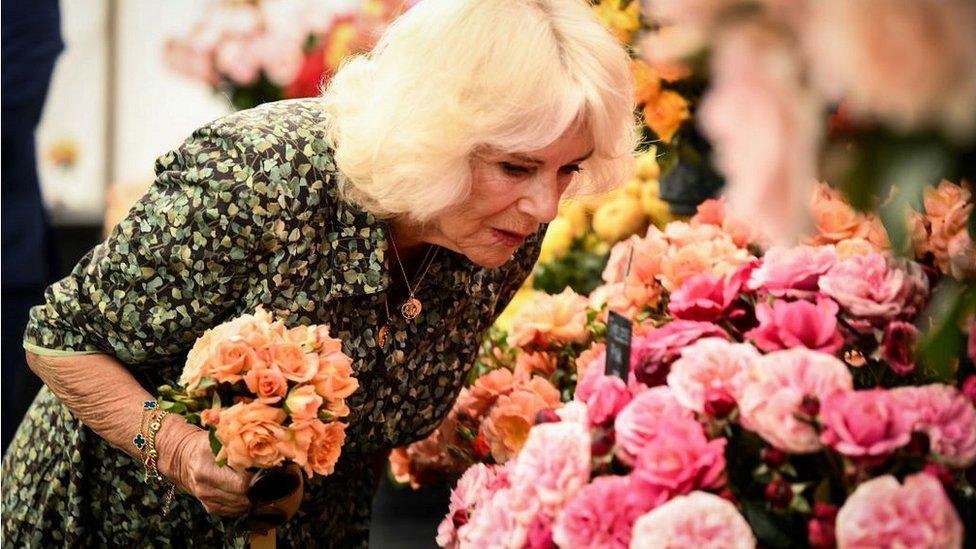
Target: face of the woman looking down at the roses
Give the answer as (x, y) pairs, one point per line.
(511, 195)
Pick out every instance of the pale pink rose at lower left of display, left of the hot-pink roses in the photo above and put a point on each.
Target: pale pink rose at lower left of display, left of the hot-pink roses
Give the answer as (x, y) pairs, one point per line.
(554, 464)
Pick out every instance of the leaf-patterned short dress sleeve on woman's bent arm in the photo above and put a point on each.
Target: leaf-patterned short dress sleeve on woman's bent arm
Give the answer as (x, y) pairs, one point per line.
(171, 269)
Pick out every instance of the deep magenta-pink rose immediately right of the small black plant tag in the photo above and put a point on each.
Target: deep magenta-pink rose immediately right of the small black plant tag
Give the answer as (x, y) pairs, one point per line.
(651, 355)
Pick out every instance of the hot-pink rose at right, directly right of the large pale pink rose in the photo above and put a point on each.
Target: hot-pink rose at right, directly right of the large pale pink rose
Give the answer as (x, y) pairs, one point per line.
(863, 424)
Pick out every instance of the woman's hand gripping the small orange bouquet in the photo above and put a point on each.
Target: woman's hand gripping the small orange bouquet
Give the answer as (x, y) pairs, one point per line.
(186, 459)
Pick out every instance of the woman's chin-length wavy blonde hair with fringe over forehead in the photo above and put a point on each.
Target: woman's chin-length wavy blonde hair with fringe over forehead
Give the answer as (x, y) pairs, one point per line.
(450, 76)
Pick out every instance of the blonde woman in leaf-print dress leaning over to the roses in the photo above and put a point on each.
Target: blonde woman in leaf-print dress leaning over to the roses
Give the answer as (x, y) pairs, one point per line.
(449, 146)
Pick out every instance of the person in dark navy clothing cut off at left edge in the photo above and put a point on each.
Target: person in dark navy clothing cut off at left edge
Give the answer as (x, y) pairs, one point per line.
(31, 43)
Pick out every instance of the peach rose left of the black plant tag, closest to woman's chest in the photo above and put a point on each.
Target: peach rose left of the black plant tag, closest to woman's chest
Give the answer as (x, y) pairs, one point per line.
(550, 319)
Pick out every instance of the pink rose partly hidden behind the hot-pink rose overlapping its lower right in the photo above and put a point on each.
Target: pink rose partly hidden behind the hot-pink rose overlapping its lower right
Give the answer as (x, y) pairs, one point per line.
(638, 422)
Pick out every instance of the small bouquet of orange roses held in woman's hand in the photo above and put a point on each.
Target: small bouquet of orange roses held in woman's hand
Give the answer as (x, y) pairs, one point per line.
(270, 396)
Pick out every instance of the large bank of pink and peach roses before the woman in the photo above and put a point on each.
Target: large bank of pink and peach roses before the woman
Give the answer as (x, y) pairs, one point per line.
(775, 395)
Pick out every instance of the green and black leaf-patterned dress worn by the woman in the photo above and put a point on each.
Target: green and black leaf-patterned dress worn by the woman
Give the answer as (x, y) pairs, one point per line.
(244, 213)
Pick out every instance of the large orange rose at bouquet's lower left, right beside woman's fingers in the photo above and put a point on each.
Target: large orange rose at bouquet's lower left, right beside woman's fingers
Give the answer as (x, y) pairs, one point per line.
(251, 434)
